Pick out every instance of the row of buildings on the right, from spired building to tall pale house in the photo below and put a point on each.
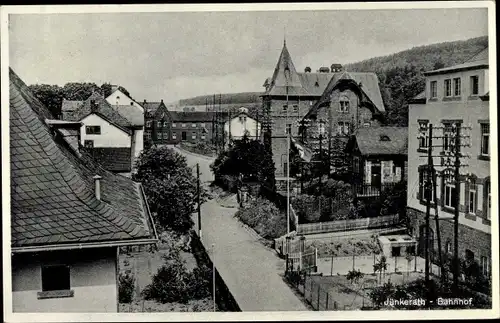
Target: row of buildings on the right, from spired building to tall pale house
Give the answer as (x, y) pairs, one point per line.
(349, 107)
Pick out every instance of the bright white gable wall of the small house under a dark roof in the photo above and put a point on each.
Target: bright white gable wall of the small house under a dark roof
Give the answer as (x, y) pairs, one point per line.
(111, 136)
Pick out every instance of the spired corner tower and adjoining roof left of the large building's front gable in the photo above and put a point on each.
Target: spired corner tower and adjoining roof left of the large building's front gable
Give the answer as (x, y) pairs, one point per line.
(288, 96)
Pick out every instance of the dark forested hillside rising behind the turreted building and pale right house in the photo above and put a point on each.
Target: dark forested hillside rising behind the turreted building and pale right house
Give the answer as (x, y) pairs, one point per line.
(401, 74)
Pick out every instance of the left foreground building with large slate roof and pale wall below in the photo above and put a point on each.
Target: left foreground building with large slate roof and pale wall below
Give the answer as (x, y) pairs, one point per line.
(69, 216)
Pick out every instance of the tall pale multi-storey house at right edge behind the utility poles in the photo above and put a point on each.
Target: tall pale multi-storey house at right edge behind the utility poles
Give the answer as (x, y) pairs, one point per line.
(454, 95)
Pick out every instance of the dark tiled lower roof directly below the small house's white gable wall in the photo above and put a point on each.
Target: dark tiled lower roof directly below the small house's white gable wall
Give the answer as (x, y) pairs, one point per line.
(113, 159)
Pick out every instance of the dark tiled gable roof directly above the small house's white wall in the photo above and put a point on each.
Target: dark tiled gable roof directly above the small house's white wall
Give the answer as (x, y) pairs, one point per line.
(104, 109)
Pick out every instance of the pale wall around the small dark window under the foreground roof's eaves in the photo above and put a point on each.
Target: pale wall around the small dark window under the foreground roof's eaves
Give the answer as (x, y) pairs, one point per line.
(92, 276)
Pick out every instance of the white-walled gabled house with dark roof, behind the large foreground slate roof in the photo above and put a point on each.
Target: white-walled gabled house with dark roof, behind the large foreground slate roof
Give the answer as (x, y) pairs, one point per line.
(113, 134)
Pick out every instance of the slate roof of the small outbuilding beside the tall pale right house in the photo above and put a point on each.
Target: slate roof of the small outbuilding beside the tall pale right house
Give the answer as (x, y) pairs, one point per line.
(369, 140)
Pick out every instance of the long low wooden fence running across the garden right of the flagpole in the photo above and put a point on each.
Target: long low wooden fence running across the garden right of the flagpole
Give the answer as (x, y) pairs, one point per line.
(346, 225)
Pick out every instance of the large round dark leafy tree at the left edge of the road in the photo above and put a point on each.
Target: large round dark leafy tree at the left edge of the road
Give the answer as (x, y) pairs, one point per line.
(170, 187)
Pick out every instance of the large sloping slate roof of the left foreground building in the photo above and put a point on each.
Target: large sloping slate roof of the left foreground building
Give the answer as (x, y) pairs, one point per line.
(52, 190)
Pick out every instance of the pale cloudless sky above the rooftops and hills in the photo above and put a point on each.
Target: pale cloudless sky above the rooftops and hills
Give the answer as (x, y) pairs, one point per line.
(177, 55)
